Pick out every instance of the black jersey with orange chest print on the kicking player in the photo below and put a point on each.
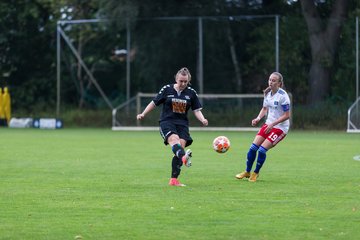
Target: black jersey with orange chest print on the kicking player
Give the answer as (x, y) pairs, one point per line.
(176, 105)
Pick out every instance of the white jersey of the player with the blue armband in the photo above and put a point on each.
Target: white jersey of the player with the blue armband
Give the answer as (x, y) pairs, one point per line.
(277, 105)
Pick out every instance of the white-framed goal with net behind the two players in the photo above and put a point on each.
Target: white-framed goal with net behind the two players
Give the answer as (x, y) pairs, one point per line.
(224, 112)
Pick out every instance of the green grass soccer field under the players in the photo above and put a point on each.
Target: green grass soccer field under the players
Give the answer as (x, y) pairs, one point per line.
(101, 184)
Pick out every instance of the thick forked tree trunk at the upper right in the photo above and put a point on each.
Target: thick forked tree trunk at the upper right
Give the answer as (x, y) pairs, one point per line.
(323, 37)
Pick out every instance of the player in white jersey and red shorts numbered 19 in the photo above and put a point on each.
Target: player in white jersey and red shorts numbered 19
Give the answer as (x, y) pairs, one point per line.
(276, 106)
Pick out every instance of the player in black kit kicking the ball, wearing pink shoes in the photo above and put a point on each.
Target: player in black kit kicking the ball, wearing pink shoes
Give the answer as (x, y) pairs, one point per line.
(177, 99)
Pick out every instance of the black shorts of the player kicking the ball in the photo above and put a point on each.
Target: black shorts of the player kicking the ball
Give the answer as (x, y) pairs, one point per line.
(169, 128)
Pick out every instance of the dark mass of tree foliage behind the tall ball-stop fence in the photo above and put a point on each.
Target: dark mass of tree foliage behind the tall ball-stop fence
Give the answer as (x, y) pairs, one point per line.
(239, 52)
